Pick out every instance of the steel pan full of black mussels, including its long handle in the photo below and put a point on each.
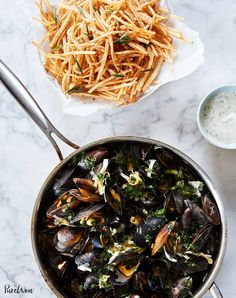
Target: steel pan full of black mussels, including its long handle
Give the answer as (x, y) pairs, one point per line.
(124, 217)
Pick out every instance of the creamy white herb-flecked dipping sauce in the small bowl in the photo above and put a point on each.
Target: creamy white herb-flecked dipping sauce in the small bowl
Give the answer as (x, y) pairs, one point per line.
(219, 117)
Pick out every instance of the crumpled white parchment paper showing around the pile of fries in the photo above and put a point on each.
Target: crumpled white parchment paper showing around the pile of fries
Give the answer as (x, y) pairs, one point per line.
(188, 58)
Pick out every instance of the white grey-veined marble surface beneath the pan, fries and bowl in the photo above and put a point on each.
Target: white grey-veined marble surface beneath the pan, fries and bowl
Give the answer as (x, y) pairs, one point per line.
(26, 156)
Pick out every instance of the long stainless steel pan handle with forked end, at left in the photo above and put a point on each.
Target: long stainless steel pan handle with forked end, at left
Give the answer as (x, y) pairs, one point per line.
(28, 103)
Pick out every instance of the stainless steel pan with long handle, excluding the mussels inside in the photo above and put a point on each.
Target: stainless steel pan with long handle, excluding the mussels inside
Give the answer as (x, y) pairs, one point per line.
(24, 98)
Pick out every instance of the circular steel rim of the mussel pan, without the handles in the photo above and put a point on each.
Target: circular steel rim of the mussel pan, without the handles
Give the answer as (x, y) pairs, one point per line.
(223, 241)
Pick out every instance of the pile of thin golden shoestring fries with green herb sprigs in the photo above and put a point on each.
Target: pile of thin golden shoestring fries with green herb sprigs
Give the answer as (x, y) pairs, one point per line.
(112, 49)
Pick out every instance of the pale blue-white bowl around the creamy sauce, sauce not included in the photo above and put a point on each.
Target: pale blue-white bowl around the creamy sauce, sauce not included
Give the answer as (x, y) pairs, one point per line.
(205, 100)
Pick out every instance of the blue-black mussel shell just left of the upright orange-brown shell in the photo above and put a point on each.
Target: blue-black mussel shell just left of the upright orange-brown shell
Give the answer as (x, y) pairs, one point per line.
(147, 231)
